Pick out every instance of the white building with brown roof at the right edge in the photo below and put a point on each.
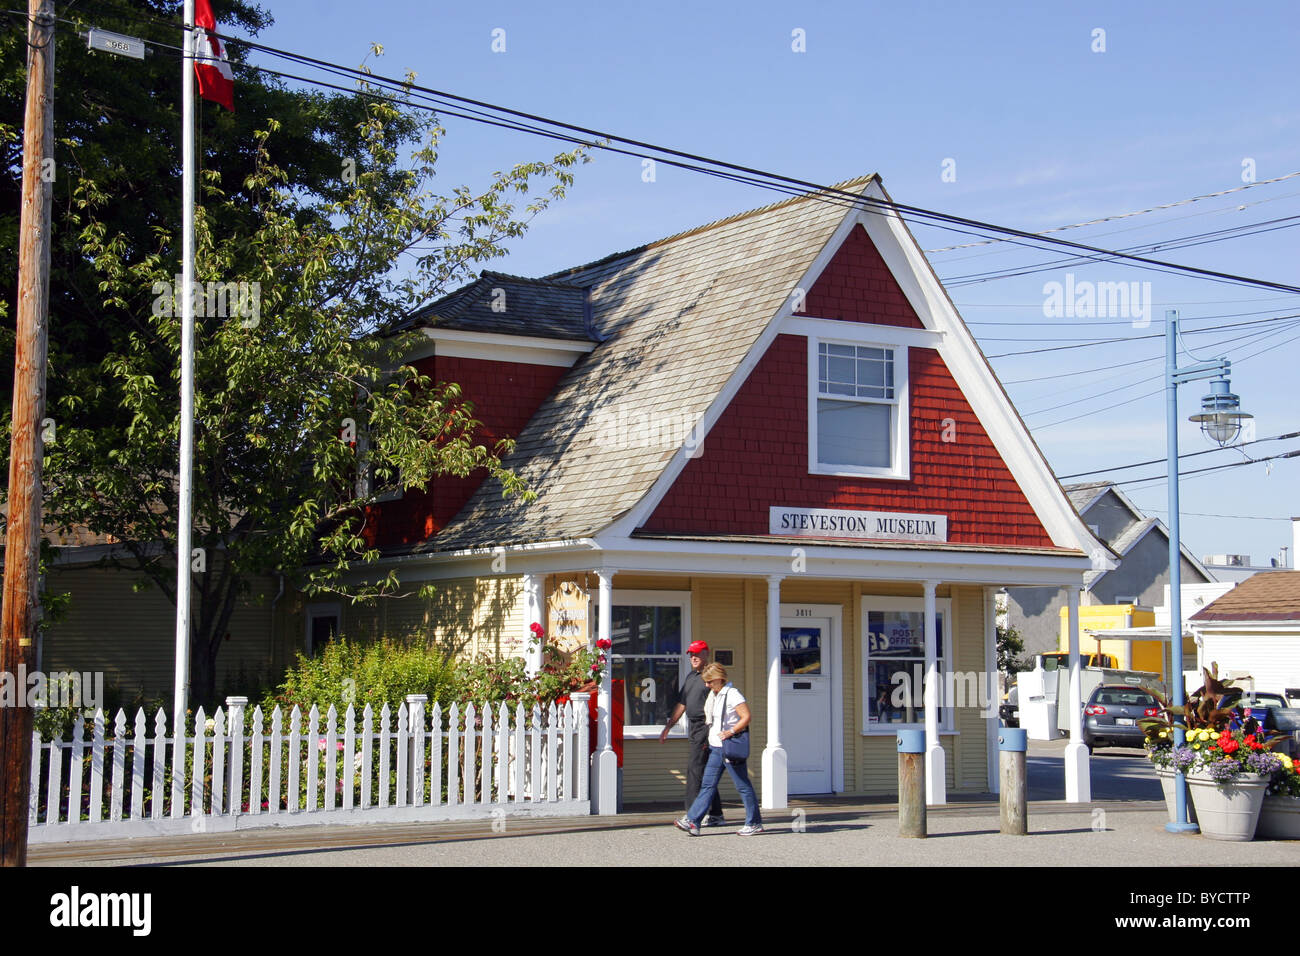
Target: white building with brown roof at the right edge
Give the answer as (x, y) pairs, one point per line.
(1255, 629)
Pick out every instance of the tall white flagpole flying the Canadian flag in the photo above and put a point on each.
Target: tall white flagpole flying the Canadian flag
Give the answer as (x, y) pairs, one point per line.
(187, 296)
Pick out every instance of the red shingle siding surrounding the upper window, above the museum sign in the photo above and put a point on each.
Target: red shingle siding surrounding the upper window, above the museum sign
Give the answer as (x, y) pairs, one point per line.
(757, 456)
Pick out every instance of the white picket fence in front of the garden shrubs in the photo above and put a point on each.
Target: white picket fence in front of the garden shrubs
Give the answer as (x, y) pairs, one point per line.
(424, 765)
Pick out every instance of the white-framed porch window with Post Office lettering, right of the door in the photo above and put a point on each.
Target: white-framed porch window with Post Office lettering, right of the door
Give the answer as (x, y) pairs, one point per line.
(894, 663)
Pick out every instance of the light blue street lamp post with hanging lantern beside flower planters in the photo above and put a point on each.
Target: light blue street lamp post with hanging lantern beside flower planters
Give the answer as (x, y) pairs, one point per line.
(1221, 421)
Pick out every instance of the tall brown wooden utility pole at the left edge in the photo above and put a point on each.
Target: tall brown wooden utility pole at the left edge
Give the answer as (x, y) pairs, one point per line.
(23, 535)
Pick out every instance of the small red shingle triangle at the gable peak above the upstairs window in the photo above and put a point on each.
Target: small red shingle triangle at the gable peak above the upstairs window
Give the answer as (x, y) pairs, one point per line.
(859, 287)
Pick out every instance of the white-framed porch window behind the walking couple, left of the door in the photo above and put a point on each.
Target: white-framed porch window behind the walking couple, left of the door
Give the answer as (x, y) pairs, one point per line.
(651, 633)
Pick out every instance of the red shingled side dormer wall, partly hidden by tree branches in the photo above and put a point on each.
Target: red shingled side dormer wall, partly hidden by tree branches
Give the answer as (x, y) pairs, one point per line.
(505, 396)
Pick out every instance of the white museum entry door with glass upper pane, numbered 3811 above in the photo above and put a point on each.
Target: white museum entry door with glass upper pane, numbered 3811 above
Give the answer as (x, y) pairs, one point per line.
(807, 680)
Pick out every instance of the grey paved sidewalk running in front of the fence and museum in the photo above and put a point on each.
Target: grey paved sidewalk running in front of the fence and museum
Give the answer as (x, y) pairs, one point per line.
(824, 833)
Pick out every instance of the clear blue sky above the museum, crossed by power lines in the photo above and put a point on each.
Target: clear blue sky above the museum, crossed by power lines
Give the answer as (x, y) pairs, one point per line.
(1042, 129)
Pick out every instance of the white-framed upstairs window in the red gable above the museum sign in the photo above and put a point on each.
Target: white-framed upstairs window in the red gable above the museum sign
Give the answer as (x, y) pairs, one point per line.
(859, 410)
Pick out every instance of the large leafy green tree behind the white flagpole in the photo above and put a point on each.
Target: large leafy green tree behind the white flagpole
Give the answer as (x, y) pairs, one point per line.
(304, 228)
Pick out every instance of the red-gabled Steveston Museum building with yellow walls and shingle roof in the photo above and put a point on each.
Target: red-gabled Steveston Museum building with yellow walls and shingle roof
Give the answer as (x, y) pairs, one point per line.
(773, 434)
